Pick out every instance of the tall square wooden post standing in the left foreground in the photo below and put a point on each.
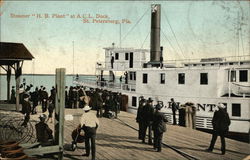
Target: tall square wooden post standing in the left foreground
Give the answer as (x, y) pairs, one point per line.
(59, 110)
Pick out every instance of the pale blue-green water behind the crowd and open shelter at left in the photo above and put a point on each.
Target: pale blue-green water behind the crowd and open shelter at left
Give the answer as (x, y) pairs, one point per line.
(37, 80)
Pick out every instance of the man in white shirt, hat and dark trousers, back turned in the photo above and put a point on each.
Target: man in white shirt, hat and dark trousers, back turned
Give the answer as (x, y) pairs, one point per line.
(89, 123)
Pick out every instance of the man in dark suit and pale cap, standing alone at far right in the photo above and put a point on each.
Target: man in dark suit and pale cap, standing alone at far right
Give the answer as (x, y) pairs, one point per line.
(221, 122)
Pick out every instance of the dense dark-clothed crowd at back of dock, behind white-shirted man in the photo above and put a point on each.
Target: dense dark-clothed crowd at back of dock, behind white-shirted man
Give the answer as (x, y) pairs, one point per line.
(106, 103)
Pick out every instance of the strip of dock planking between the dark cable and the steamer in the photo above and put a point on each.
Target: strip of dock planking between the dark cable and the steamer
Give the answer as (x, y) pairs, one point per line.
(195, 142)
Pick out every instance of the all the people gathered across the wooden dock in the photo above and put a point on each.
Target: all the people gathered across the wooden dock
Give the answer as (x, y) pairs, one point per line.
(108, 104)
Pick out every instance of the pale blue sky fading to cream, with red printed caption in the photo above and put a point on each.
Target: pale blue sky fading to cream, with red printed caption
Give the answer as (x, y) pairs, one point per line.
(189, 30)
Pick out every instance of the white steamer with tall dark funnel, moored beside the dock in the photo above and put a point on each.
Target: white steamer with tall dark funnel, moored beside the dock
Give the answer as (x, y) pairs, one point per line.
(204, 82)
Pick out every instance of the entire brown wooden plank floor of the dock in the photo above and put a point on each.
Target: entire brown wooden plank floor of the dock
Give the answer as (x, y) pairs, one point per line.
(117, 140)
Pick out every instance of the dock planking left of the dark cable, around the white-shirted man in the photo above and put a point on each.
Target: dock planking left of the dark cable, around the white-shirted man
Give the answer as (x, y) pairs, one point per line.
(115, 141)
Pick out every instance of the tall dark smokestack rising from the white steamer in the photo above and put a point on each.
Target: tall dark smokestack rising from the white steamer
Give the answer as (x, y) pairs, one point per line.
(155, 51)
